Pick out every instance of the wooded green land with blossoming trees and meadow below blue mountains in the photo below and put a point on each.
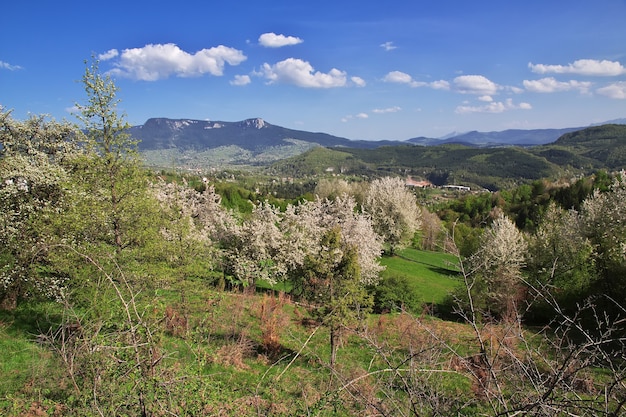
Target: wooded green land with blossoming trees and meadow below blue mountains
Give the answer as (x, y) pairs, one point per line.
(129, 291)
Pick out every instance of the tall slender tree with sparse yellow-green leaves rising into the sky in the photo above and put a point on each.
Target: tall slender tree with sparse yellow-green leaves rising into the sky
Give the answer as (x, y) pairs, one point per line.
(111, 174)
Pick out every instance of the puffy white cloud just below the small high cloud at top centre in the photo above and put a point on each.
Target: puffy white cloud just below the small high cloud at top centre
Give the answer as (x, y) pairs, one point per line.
(301, 73)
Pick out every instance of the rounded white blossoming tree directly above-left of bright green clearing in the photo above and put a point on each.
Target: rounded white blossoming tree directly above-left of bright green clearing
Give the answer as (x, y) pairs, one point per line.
(394, 211)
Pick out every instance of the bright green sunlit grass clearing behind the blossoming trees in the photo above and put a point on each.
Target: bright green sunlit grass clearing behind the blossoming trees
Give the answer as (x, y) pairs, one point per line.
(432, 275)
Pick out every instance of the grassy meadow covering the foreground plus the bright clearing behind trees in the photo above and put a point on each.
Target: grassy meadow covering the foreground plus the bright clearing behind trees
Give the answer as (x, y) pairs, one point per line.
(234, 353)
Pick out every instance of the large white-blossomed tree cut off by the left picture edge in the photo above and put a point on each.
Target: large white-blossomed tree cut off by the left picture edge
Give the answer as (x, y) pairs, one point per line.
(33, 172)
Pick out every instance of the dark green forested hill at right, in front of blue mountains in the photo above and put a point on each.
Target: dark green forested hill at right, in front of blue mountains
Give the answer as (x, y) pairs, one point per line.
(581, 152)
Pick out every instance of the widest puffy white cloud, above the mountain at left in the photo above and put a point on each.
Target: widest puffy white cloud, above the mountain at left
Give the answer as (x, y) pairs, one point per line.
(158, 61)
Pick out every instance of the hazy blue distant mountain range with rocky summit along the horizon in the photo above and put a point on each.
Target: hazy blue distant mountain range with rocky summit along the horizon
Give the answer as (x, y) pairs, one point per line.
(201, 143)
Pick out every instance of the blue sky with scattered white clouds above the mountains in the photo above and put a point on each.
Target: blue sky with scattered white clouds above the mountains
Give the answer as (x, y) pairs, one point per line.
(356, 69)
